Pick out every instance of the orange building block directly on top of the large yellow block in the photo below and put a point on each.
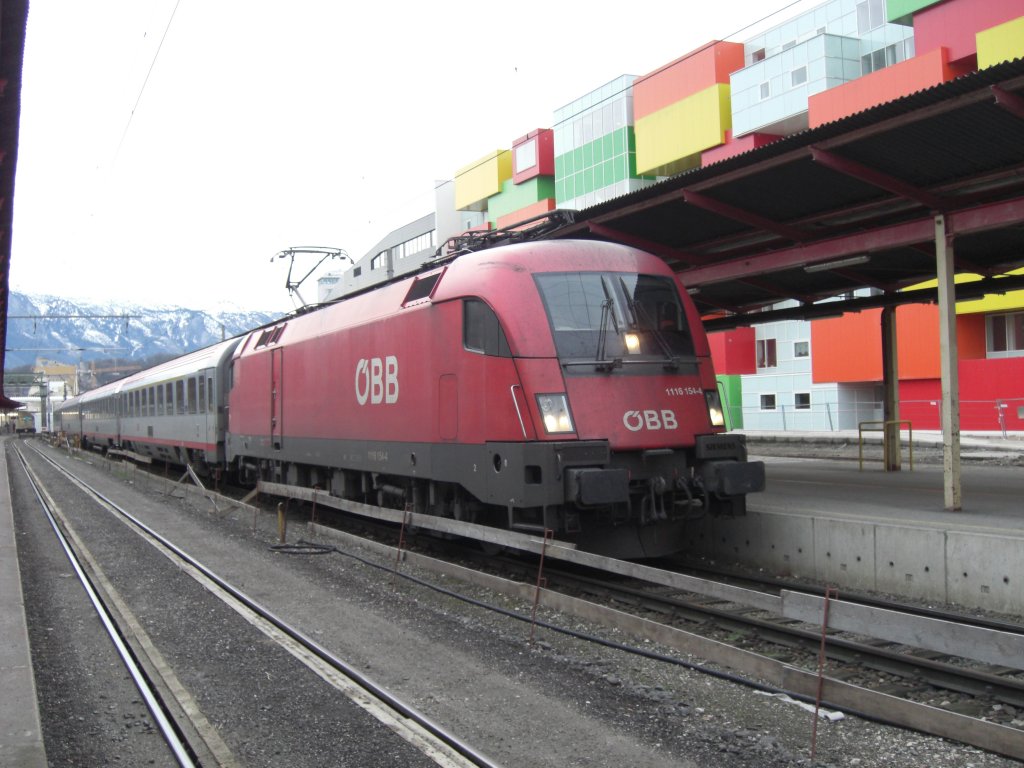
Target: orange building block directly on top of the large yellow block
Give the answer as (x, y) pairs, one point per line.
(697, 71)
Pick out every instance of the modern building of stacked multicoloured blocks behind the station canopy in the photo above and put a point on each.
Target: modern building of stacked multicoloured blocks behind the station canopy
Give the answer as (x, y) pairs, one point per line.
(729, 98)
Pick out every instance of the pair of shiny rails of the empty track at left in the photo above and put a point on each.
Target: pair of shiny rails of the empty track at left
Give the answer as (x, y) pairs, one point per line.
(155, 681)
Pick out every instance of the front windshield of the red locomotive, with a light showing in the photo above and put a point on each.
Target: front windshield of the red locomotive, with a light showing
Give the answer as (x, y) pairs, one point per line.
(612, 319)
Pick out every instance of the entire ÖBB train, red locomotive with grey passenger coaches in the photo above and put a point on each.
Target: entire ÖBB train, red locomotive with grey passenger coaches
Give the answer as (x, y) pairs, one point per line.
(553, 386)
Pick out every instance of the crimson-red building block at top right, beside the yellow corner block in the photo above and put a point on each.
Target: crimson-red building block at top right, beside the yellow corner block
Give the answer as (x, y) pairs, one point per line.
(953, 26)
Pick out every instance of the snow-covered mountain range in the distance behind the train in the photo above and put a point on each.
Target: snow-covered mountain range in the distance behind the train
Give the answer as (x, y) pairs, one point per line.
(73, 332)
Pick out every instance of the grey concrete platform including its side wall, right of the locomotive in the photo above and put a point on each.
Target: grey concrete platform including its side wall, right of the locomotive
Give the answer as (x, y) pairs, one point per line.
(859, 528)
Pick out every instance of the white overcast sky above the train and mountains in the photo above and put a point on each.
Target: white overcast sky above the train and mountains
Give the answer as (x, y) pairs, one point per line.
(169, 149)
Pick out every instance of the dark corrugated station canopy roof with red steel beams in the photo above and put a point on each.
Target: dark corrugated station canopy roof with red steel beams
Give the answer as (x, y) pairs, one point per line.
(845, 206)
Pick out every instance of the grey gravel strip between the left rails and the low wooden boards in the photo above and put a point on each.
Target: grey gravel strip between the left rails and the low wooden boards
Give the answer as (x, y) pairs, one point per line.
(559, 702)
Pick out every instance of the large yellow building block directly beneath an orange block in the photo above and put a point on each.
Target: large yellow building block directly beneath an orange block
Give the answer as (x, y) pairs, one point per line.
(674, 137)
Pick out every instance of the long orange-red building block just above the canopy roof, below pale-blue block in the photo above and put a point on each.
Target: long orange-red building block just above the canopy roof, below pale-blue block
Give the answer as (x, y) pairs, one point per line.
(881, 87)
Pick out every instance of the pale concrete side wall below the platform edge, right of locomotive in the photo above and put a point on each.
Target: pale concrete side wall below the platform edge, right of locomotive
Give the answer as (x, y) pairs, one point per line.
(960, 568)
